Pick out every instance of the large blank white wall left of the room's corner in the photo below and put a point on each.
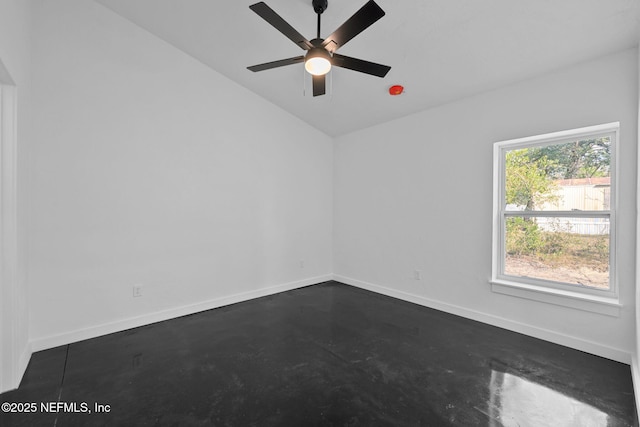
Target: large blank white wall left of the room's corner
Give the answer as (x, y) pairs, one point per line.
(150, 168)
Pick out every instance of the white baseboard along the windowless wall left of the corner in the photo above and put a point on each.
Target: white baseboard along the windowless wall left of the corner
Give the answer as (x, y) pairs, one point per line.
(47, 342)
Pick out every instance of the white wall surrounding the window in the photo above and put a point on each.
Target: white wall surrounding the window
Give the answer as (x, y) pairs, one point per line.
(416, 193)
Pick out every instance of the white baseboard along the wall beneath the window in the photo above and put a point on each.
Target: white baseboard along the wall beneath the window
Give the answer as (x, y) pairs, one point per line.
(501, 322)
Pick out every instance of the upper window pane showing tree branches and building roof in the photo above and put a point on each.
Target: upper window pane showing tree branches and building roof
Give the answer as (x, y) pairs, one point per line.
(563, 177)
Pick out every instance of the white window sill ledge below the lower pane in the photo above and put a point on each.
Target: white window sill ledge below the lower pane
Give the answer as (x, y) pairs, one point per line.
(579, 301)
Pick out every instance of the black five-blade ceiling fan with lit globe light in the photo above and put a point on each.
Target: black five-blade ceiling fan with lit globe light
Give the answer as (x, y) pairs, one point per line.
(321, 56)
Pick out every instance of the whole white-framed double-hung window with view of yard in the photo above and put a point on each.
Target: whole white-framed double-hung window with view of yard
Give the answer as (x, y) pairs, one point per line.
(554, 213)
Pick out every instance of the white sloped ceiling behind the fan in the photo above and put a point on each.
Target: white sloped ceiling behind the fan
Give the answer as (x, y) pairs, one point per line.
(440, 50)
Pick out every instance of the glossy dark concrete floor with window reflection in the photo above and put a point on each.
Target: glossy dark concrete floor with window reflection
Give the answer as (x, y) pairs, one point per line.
(325, 355)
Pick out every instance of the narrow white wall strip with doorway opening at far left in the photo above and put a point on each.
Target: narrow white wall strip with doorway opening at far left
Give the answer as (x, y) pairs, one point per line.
(15, 39)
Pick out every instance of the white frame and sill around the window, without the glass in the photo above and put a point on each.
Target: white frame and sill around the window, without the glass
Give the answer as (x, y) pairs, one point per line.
(564, 294)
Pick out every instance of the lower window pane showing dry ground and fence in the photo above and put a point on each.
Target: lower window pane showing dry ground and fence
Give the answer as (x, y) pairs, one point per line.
(573, 250)
